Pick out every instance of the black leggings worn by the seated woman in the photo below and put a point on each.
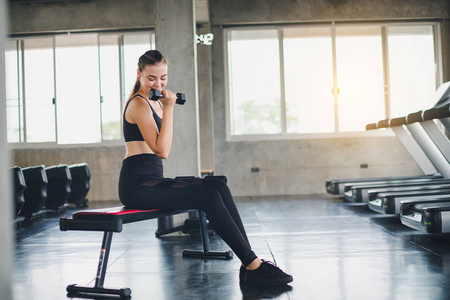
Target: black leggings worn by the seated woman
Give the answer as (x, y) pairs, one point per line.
(142, 186)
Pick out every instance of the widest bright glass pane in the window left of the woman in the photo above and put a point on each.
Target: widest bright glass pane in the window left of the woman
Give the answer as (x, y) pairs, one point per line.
(77, 86)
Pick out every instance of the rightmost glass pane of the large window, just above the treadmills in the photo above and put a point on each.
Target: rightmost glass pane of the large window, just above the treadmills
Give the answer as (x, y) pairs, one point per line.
(412, 73)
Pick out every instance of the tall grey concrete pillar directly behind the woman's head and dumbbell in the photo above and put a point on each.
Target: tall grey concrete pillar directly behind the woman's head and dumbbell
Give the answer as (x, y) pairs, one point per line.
(175, 38)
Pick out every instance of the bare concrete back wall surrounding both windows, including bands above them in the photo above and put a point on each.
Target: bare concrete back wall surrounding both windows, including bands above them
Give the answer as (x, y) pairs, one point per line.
(287, 167)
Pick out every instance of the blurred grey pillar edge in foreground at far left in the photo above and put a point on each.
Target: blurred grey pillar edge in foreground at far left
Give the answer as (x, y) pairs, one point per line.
(6, 211)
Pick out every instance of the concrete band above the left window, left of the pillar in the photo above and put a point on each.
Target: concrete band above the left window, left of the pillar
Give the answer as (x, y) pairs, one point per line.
(54, 16)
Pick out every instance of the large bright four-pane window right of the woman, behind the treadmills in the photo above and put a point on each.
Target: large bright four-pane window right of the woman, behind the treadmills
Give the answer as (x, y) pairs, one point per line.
(327, 79)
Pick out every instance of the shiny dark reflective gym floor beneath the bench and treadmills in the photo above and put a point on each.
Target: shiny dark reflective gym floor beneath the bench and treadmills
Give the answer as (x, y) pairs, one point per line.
(334, 250)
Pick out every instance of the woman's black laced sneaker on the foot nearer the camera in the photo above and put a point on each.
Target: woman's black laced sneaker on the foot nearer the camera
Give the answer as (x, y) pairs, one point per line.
(267, 274)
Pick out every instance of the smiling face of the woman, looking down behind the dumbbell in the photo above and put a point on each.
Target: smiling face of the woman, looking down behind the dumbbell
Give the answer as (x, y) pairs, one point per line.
(153, 77)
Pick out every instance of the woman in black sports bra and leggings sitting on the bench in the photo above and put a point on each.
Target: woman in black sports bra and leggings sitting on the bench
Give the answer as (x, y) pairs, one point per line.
(148, 132)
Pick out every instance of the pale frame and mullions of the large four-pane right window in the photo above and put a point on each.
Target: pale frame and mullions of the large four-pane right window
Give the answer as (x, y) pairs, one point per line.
(333, 26)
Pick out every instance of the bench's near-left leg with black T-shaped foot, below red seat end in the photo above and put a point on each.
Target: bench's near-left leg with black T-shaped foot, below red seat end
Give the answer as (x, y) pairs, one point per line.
(101, 273)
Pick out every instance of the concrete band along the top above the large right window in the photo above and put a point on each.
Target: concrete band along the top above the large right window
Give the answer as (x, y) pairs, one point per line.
(276, 11)
